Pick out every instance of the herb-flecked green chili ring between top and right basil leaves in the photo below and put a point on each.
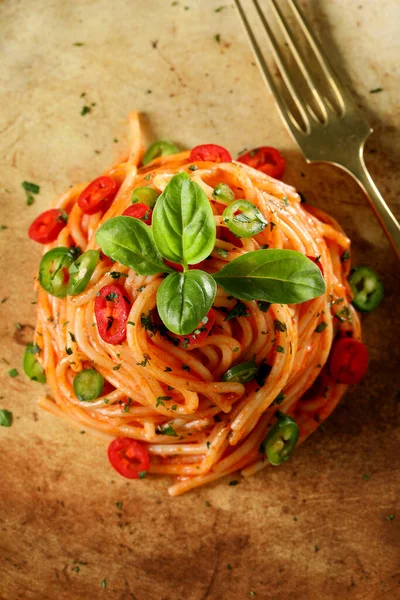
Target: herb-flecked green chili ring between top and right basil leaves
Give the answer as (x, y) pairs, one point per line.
(244, 219)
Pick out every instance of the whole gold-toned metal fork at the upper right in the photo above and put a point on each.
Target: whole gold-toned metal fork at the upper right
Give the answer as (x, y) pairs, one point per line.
(339, 136)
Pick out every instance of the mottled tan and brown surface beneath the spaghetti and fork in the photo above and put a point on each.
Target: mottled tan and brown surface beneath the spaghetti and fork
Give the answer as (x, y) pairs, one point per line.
(312, 529)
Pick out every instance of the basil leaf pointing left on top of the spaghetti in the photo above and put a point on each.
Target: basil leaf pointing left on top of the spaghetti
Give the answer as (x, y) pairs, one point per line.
(130, 242)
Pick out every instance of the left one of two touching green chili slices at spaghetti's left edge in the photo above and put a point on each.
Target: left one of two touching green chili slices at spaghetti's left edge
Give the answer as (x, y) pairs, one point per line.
(54, 270)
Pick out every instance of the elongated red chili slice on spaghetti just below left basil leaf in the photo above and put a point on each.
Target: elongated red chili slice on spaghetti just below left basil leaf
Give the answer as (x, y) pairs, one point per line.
(111, 308)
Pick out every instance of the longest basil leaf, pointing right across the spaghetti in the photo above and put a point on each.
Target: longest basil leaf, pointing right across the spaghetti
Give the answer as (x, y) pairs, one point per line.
(277, 276)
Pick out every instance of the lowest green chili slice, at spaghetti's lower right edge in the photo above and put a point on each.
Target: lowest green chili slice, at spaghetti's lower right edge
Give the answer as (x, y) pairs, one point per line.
(281, 440)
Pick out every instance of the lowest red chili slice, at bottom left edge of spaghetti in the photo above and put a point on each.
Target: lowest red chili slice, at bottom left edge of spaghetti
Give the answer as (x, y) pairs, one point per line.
(128, 457)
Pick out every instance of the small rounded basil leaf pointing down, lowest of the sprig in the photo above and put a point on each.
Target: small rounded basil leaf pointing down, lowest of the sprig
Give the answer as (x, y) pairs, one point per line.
(184, 299)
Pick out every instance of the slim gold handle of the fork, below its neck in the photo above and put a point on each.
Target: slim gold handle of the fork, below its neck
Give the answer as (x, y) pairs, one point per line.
(385, 216)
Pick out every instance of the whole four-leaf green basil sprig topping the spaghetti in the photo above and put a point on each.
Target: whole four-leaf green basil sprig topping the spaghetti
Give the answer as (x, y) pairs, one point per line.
(184, 232)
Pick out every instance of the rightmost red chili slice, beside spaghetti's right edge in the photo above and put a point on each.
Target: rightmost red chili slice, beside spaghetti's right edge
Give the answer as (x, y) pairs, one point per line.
(349, 361)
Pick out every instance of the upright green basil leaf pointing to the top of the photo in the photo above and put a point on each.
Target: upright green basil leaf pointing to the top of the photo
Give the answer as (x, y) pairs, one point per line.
(183, 222)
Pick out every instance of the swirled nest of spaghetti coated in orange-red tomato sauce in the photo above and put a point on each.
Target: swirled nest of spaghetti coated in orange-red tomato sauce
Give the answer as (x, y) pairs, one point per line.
(173, 400)
